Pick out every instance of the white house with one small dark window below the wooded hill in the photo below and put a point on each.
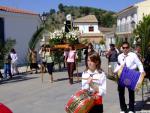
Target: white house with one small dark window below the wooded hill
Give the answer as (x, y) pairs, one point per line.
(88, 26)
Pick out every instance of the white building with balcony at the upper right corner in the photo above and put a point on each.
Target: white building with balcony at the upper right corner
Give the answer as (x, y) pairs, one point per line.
(129, 17)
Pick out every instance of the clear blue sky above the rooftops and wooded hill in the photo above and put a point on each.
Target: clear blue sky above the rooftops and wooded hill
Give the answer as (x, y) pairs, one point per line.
(39, 6)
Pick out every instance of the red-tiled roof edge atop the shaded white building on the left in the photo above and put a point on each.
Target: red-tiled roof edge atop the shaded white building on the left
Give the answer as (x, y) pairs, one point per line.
(14, 10)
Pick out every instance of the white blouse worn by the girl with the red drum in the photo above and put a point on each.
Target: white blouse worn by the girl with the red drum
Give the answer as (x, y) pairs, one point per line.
(98, 78)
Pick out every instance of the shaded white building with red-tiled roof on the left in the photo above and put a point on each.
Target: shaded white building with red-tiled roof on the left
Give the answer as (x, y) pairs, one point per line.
(19, 25)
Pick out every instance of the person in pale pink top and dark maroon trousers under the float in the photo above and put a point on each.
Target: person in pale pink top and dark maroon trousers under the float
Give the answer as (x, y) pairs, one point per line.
(71, 62)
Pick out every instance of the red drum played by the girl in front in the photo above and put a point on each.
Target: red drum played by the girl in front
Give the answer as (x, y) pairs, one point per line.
(80, 102)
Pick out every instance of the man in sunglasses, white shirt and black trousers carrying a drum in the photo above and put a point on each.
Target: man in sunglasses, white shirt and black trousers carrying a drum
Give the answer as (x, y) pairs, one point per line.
(131, 60)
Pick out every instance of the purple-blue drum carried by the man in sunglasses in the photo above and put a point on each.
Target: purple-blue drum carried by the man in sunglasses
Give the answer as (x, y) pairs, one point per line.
(130, 78)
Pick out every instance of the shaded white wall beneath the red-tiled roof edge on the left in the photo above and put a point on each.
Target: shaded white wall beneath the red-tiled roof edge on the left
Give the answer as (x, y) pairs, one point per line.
(20, 27)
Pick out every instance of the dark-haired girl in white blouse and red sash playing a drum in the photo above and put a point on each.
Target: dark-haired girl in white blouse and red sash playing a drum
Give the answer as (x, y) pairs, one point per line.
(94, 80)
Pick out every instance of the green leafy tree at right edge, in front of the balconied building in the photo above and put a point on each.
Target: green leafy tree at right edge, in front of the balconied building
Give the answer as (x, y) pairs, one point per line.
(142, 32)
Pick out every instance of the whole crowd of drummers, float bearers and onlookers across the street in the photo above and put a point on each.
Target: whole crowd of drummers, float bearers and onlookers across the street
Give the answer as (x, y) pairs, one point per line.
(93, 77)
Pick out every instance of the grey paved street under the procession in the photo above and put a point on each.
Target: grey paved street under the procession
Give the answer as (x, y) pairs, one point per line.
(27, 94)
